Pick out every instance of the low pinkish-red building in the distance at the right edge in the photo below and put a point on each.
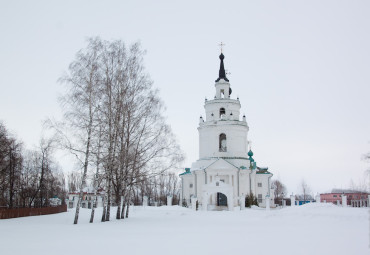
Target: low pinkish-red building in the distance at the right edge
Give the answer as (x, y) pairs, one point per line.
(354, 198)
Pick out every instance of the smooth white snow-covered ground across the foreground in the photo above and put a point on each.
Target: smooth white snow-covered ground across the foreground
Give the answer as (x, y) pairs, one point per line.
(309, 229)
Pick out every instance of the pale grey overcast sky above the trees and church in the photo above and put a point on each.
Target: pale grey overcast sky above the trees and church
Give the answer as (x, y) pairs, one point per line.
(300, 69)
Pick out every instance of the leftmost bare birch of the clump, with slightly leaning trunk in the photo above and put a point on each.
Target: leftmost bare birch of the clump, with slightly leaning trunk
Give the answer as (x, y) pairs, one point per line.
(80, 105)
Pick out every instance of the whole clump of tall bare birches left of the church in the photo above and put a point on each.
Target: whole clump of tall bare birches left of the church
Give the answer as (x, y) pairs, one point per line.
(113, 125)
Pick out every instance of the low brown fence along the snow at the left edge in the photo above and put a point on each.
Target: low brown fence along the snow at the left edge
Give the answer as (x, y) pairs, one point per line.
(24, 212)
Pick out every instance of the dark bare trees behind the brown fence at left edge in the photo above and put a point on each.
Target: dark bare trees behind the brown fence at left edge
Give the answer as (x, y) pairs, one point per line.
(28, 178)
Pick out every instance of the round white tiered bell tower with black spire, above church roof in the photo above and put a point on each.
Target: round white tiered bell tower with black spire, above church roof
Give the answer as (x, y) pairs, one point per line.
(222, 133)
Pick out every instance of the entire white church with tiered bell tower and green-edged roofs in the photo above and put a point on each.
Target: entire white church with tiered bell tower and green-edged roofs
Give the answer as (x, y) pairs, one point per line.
(225, 172)
